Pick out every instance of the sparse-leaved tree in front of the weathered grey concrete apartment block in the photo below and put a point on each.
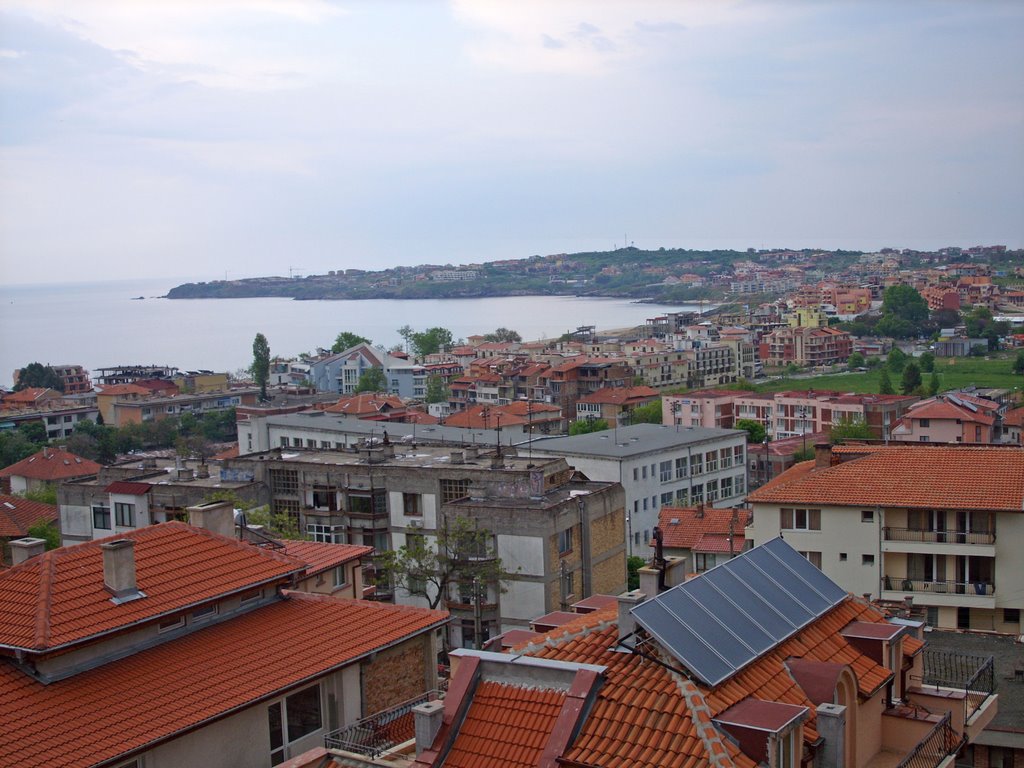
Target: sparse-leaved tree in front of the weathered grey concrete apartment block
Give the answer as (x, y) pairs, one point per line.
(463, 558)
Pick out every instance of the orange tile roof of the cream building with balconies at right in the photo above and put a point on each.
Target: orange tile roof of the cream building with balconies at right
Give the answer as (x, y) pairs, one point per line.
(947, 478)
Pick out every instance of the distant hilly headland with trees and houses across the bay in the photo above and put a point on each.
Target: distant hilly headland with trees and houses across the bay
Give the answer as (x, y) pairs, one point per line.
(668, 276)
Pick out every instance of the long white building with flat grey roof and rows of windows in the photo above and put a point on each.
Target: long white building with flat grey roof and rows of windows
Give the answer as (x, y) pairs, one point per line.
(659, 466)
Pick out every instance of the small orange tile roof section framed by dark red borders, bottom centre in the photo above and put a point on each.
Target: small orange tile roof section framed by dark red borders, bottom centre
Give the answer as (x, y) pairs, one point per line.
(506, 726)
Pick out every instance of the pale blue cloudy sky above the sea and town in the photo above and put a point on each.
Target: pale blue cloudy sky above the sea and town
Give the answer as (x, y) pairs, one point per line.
(204, 140)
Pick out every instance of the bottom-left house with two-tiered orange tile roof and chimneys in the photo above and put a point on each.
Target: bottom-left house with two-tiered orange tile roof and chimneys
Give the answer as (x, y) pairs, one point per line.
(173, 646)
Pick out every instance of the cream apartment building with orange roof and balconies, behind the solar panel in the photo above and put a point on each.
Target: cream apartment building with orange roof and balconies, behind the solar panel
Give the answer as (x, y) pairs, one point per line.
(940, 524)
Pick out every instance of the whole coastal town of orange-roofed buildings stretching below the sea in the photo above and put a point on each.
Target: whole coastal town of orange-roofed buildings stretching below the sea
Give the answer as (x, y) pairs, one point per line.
(785, 530)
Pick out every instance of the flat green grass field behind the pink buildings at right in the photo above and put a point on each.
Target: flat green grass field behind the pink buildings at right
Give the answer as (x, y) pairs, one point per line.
(954, 374)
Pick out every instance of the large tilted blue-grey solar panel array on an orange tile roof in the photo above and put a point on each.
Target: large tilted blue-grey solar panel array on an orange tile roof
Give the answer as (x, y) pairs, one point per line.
(718, 623)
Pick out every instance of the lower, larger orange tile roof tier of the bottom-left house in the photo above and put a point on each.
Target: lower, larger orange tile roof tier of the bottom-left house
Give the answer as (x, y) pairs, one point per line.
(95, 716)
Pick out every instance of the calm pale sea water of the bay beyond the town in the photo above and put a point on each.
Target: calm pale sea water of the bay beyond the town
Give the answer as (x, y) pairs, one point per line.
(101, 325)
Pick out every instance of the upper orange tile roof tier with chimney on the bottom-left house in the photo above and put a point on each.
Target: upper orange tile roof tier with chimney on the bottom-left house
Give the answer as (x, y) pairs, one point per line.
(59, 599)
